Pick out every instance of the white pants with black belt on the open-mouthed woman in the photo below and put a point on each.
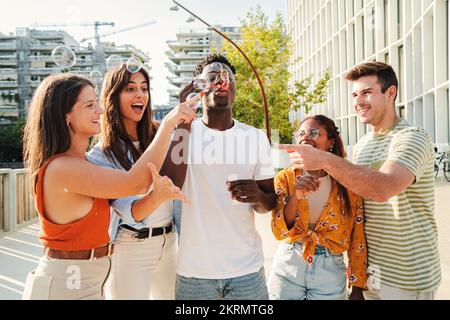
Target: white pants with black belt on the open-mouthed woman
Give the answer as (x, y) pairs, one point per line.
(143, 269)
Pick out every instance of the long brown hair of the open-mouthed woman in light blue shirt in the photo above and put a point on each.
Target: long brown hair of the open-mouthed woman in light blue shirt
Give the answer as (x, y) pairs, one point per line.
(113, 131)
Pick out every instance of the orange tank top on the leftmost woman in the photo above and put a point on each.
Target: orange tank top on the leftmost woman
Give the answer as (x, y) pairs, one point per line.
(89, 232)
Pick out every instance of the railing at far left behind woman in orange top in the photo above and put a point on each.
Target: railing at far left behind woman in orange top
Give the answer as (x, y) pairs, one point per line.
(16, 202)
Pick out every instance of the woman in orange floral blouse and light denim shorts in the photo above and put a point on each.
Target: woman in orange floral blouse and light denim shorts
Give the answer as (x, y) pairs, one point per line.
(318, 220)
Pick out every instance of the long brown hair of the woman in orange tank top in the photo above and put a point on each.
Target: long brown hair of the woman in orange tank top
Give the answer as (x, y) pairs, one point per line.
(46, 132)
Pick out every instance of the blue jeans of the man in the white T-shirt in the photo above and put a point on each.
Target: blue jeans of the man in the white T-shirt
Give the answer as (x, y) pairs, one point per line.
(248, 287)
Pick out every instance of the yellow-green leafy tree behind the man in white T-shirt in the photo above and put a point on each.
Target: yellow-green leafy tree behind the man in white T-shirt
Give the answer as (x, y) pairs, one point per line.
(269, 47)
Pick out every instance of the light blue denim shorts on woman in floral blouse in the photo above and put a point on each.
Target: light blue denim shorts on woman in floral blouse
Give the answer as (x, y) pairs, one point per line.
(292, 278)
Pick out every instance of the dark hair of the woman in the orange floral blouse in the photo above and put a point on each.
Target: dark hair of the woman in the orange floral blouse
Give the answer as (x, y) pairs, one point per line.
(338, 149)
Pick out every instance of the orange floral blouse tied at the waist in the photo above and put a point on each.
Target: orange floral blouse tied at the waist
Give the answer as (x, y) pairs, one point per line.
(335, 229)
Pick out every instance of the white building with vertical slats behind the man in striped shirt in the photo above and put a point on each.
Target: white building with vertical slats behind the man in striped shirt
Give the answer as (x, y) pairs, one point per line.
(411, 35)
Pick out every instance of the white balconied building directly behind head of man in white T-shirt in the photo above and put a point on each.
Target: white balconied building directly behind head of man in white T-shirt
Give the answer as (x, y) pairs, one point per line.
(192, 46)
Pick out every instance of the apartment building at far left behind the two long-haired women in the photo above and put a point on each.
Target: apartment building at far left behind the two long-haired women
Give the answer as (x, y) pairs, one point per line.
(25, 60)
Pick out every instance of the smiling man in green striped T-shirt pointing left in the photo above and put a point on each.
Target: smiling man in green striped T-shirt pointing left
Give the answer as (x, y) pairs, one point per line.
(393, 172)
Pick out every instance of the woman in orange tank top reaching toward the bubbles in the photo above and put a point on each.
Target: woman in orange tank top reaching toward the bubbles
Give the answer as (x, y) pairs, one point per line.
(71, 193)
